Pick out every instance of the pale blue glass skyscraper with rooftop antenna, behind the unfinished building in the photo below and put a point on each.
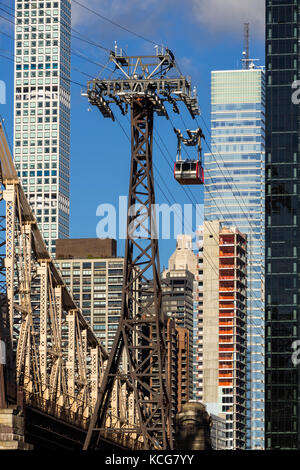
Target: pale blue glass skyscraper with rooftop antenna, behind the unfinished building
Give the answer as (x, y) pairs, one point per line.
(235, 194)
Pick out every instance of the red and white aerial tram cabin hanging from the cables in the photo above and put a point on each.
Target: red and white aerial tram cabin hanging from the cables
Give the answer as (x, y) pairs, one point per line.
(189, 172)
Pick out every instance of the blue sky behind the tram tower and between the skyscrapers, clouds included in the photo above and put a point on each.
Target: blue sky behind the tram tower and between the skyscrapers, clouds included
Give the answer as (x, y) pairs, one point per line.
(204, 35)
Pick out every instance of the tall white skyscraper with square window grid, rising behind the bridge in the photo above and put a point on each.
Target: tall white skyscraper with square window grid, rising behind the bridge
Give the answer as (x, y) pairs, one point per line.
(42, 111)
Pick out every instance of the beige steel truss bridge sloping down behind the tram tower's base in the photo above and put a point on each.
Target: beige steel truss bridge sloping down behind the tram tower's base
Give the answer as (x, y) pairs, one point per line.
(54, 362)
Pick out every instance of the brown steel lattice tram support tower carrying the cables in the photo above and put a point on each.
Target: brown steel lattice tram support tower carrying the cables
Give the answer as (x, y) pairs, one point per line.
(142, 84)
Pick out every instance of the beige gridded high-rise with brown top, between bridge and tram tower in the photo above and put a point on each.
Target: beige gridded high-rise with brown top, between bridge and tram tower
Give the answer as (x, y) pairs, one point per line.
(94, 275)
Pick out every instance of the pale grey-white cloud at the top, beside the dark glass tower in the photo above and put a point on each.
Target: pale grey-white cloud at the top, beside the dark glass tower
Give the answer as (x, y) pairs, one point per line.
(228, 16)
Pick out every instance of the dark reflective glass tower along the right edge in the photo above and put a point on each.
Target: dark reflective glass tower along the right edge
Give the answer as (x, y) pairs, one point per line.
(282, 224)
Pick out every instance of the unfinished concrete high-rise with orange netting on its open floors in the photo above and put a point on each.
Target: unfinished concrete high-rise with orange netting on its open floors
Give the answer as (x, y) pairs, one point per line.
(223, 328)
